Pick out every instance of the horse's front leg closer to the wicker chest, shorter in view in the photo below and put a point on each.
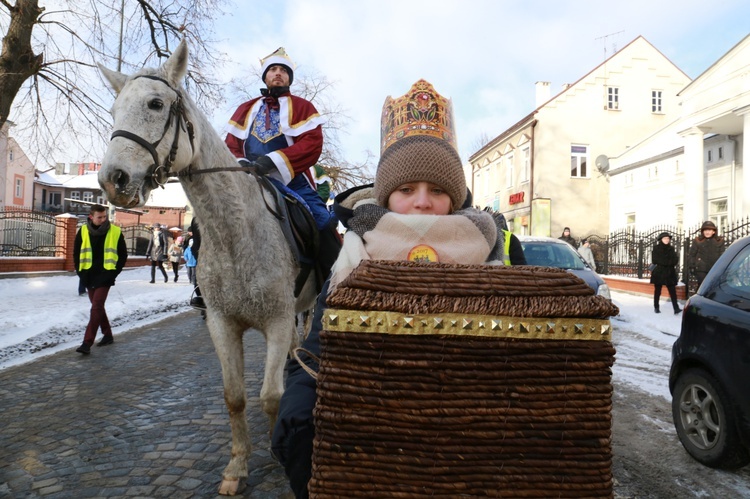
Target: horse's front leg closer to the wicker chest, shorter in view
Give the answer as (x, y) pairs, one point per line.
(279, 338)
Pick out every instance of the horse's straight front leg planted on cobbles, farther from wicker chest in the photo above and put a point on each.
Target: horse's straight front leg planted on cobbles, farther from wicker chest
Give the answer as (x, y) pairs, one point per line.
(227, 338)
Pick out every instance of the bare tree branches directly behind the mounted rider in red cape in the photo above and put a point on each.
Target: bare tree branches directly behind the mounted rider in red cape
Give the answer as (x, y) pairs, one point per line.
(320, 91)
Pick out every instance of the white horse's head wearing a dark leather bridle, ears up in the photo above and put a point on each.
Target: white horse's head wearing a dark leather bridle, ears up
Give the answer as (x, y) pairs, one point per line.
(153, 135)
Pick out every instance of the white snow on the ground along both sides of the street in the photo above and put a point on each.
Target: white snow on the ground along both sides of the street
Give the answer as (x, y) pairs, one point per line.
(43, 314)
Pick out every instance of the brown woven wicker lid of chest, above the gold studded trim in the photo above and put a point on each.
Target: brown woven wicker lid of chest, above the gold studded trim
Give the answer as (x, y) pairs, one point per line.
(419, 288)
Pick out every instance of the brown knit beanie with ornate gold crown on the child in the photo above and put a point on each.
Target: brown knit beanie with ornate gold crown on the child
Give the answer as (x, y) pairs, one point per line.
(418, 144)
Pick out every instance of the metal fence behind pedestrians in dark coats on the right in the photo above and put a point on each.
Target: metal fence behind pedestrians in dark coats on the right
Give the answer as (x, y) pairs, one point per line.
(628, 252)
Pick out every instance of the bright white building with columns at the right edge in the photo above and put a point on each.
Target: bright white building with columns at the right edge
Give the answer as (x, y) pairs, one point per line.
(692, 169)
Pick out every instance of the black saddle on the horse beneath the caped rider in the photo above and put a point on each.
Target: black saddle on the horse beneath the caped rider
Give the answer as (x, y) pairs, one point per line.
(300, 231)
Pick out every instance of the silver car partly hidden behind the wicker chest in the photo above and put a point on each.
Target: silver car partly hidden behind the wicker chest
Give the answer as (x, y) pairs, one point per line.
(551, 252)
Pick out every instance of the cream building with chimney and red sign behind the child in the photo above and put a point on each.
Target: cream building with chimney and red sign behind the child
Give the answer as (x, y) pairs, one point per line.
(549, 170)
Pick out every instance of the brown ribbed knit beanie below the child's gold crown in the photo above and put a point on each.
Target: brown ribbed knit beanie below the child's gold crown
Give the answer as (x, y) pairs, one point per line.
(420, 158)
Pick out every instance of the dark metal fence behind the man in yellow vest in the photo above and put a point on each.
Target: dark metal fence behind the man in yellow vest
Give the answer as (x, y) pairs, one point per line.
(33, 233)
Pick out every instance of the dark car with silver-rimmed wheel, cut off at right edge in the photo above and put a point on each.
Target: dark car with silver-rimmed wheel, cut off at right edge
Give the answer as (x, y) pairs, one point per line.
(710, 374)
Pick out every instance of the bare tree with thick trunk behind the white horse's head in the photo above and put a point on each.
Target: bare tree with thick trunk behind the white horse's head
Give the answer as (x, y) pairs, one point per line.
(49, 85)
